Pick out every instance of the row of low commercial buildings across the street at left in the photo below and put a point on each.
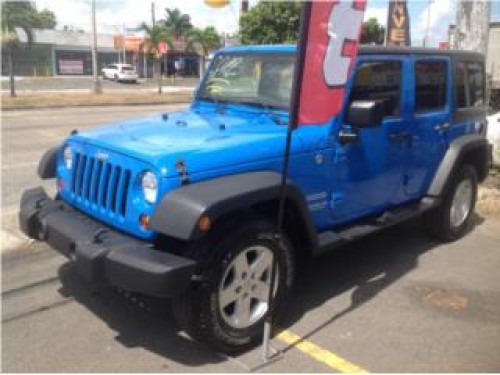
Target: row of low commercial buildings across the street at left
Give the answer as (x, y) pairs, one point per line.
(68, 53)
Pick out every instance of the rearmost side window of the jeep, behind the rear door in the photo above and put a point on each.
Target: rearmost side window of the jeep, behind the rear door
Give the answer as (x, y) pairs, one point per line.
(469, 84)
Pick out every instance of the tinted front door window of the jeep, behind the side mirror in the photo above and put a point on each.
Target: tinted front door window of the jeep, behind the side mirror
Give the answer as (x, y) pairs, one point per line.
(379, 80)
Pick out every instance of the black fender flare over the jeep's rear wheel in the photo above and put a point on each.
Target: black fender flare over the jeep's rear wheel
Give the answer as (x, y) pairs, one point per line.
(459, 149)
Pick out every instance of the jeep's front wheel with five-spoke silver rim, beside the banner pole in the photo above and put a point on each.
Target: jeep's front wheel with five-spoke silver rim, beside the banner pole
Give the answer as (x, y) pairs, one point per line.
(226, 308)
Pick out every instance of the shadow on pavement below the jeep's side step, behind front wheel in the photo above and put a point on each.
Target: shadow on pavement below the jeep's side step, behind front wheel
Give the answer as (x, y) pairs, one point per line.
(366, 266)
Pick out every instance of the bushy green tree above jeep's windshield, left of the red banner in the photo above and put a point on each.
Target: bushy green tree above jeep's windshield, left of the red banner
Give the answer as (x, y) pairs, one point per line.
(271, 22)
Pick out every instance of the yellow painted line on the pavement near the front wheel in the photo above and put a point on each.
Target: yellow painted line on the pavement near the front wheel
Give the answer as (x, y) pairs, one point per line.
(319, 354)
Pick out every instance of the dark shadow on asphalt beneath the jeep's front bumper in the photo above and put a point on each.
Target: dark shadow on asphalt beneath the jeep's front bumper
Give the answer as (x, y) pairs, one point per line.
(138, 321)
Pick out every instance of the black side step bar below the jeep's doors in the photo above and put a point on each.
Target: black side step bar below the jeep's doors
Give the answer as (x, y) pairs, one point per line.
(330, 240)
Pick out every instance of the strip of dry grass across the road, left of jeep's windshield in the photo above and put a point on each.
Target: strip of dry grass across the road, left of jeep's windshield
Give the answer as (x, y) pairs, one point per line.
(86, 99)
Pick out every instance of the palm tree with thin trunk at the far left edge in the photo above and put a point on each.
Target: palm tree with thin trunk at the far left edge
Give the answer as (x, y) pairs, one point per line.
(16, 15)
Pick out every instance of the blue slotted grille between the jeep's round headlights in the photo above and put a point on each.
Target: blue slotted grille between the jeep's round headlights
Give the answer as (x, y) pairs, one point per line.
(101, 183)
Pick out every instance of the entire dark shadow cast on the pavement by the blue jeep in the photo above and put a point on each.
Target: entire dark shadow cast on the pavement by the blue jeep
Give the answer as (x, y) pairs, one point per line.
(366, 267)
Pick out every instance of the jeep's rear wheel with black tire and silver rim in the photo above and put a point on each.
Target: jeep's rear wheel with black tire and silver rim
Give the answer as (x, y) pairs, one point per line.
(452, 218)
